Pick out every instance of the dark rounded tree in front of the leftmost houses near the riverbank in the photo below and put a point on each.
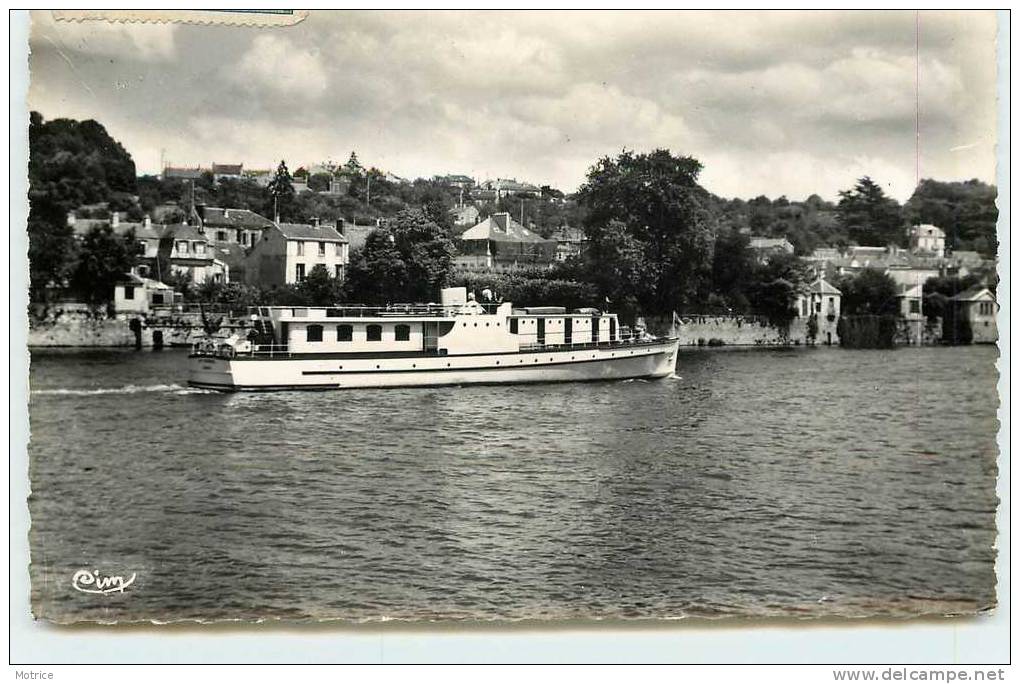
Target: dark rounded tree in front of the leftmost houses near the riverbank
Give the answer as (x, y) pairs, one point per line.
(105, 258)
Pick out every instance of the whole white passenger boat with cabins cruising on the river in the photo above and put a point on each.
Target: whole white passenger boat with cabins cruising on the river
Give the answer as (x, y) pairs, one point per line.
(457, 342)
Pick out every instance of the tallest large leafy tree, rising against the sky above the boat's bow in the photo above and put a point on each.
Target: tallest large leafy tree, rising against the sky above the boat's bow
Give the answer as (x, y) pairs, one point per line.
(657, 200)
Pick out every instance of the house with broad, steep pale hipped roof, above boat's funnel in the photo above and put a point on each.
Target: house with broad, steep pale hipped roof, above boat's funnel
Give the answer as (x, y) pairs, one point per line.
(501, 244)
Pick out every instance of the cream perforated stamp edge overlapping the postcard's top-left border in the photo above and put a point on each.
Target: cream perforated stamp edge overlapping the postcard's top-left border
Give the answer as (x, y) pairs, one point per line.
(250, 18)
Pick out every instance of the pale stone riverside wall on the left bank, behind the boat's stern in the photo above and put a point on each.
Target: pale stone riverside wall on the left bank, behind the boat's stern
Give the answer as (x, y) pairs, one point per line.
(79, 327)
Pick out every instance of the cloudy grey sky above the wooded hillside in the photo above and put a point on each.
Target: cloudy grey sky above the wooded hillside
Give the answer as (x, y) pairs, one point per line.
(772, 103)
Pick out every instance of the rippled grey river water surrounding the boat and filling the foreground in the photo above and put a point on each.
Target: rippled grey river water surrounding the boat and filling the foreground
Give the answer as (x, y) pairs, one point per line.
(790, 483)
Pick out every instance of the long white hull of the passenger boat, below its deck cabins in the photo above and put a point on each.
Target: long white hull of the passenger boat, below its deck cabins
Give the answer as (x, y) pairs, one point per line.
(652, 359)
